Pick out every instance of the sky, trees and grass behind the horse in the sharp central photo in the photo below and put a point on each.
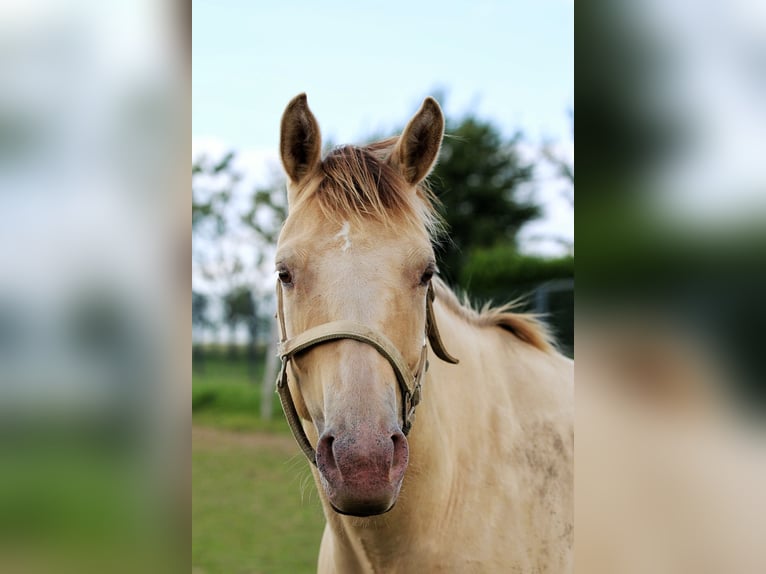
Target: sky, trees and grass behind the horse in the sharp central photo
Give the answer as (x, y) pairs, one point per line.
(503, 74)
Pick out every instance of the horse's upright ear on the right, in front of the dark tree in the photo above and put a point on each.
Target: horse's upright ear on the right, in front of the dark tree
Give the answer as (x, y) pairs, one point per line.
(418, 147)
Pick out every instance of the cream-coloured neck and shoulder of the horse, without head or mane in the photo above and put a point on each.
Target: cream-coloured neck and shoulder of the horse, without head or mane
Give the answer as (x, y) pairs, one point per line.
(488, 487)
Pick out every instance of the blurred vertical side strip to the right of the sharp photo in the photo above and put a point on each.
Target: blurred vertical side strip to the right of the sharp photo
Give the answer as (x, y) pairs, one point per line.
(670, 386)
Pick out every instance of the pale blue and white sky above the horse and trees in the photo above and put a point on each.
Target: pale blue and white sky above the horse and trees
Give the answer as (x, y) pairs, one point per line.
(366, 66)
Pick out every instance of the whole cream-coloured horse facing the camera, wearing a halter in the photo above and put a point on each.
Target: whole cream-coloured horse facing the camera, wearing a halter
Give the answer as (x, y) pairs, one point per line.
(482, 480)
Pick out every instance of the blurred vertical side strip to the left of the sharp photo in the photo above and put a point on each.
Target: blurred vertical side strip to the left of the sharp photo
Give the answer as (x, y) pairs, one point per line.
(94, 143)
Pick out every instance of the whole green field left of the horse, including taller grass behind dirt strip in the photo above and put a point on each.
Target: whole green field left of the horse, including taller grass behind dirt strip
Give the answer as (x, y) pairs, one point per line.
(254, 503)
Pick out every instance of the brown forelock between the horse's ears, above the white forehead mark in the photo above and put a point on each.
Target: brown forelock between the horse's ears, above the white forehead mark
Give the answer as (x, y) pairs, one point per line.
(358, 183)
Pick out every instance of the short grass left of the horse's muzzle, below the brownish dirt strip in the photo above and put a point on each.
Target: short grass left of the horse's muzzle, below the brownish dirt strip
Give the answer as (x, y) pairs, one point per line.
(254, 507)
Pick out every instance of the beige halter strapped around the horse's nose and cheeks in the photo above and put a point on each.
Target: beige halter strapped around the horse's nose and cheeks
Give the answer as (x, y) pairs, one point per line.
(409, 383)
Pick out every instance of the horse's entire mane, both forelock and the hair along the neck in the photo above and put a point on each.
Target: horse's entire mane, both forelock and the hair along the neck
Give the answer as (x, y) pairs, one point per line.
(359, 182)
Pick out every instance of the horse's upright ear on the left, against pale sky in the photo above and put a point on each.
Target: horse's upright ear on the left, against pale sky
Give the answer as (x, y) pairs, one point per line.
(300, 142)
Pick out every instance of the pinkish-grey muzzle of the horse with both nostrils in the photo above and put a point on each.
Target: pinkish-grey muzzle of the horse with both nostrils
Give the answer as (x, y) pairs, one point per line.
(362, 471)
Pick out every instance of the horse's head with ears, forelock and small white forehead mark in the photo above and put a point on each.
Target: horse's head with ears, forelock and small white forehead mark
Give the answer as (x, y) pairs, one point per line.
(356, 250)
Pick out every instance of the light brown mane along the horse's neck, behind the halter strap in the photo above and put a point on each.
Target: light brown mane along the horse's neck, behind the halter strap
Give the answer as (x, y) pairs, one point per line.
(525, 326)
